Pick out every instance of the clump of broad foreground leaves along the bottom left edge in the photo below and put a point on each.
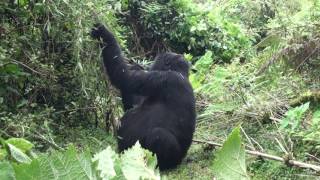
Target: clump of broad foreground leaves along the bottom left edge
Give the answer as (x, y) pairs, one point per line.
(135, 163)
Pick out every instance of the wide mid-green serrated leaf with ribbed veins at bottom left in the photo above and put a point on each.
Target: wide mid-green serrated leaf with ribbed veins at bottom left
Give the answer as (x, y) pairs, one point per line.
(60, 165)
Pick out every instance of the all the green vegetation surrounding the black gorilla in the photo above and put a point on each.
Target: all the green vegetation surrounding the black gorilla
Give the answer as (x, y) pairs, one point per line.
(257, 64)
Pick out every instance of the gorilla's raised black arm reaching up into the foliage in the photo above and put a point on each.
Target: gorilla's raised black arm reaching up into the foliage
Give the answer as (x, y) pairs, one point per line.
(138, 82)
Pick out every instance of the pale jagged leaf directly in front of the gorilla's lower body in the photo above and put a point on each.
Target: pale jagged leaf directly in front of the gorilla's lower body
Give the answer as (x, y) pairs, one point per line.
(138, 163)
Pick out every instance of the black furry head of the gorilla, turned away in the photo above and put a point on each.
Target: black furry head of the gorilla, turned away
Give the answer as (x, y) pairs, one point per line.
(171, 62)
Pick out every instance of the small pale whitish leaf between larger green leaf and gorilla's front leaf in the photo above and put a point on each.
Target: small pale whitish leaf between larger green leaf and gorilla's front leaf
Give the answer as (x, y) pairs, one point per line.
(106, 166)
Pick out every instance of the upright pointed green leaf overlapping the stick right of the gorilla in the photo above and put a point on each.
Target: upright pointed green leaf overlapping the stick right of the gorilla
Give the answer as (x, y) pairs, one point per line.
(229, 163)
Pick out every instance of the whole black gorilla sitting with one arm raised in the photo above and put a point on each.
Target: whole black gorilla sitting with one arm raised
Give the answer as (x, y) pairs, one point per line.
(159, 103)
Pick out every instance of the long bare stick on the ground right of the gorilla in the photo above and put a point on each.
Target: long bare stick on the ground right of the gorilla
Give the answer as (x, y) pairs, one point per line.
(268, 156)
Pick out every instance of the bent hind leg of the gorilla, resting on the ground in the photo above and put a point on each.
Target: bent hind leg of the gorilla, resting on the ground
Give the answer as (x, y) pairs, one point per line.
(165, 145)
